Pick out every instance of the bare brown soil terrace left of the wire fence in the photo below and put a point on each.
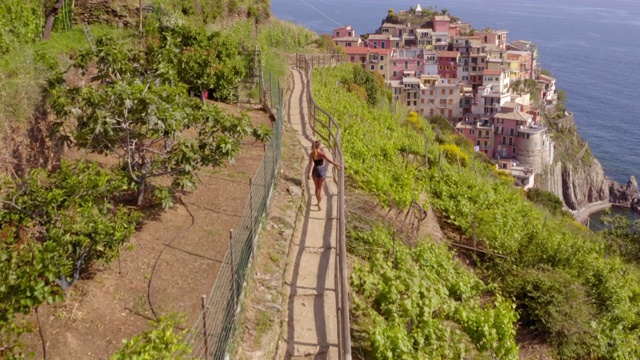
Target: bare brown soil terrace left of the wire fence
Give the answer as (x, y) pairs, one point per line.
(167, 266)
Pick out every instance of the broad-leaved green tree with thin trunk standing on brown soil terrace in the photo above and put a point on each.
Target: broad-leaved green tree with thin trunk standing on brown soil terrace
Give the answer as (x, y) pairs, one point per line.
(142, 114)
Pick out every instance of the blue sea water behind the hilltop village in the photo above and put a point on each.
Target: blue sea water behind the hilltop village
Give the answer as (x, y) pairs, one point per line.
(592, 48)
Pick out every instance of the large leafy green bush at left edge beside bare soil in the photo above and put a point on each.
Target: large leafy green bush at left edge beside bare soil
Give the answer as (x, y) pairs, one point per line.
(53, 227)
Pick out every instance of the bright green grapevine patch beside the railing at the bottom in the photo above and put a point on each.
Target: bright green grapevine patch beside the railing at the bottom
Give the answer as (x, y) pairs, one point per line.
(415, 303)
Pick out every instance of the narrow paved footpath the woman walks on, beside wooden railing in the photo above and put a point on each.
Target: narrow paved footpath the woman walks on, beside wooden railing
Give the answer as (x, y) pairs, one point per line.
(311, 330)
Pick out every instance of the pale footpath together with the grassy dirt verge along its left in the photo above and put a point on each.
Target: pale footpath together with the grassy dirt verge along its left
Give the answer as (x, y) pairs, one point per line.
(289, 309)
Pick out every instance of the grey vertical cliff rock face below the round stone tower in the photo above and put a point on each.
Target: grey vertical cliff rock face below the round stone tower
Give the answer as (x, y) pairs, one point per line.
(580, 185)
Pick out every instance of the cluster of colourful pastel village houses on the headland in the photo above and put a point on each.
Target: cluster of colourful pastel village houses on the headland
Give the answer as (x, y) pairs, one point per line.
(490, 90)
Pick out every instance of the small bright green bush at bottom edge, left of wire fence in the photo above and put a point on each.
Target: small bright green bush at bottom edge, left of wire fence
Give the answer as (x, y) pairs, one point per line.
(162, 341)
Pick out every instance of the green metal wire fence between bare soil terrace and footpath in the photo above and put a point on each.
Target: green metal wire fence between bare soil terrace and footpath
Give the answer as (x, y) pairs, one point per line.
(210, 336)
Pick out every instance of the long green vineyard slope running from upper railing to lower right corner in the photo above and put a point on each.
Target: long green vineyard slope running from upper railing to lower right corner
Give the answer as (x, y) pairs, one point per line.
(568, 289)
